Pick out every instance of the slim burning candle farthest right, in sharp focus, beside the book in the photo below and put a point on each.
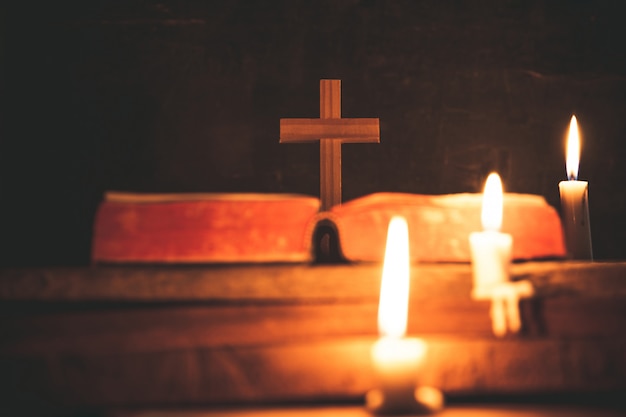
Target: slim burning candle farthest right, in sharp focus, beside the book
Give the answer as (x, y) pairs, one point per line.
(574, 205)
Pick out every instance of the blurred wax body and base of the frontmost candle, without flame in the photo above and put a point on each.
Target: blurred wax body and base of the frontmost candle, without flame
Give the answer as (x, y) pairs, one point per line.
(397, 364)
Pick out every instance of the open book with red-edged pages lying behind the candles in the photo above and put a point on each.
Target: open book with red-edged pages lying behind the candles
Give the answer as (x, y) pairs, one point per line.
(241, 228)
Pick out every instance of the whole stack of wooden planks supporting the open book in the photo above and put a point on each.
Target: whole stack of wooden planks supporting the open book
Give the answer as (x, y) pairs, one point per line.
(155, 337)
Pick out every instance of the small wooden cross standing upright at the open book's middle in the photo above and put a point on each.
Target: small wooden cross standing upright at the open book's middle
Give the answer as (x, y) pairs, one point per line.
(331, 130)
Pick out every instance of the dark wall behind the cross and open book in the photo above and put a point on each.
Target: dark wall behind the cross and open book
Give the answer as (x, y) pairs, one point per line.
(186, 96)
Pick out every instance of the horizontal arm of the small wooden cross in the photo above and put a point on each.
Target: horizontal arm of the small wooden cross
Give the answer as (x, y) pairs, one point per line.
(348, 130)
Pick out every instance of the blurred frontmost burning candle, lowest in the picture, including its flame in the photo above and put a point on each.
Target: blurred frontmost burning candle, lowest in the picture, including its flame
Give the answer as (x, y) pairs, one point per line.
(397, 359)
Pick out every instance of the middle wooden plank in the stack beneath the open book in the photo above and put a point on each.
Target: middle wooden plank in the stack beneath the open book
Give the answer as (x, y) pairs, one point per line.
(37, 329)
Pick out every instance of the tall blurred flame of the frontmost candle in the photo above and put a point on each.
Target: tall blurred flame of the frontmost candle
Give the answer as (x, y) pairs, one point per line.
(394, 288)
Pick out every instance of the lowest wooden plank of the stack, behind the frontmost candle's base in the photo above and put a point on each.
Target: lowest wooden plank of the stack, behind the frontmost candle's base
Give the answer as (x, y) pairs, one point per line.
(314, 371)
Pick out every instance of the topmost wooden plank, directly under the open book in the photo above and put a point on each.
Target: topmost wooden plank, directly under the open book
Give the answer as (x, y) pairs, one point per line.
(289, 283)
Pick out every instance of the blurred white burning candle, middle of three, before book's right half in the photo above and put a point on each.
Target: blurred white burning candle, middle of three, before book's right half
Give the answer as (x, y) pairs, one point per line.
(490, 249)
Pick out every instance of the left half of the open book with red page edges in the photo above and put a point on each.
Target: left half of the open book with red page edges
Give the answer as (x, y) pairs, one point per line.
(204, 228)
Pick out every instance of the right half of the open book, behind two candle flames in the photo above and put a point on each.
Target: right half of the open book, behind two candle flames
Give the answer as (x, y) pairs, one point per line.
(439, 226)
